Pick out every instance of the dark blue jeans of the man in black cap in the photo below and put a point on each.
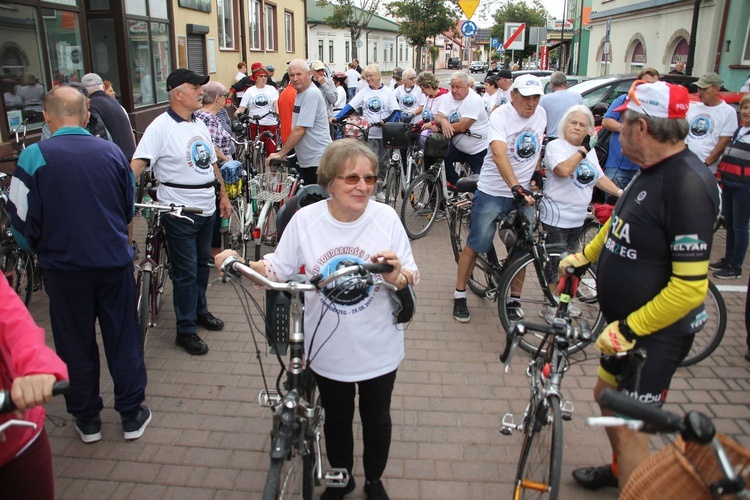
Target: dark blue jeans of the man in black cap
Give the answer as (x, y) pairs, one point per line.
(189, 251)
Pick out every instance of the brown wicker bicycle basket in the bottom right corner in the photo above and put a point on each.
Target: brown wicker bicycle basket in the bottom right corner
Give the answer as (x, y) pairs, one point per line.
(683, 471)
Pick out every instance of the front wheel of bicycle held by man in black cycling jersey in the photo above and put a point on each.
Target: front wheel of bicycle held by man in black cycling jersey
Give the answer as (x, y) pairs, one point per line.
(540, 462)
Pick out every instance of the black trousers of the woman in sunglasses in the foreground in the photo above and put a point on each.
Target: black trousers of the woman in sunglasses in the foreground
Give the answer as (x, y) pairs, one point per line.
(375, 413)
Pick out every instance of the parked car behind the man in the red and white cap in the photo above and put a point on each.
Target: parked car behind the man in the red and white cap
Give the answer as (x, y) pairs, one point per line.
(598, 93)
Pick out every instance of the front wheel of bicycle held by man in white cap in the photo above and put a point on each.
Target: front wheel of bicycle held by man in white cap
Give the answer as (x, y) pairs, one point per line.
(525, 282)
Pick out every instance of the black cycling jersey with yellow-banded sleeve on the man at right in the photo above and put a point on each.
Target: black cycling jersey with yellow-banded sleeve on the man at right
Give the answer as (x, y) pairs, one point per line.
(654, 257)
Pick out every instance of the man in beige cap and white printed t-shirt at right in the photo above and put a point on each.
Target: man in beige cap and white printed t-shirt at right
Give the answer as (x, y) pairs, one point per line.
(712, 122)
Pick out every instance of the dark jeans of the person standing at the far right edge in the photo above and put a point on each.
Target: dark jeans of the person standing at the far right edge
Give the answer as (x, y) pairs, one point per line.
(735, 202)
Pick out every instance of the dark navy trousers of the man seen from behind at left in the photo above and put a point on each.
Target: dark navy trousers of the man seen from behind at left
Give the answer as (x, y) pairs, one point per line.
(76, 301)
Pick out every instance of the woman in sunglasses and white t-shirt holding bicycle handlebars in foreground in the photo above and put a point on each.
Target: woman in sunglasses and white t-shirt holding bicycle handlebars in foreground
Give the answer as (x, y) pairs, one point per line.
(356, 344)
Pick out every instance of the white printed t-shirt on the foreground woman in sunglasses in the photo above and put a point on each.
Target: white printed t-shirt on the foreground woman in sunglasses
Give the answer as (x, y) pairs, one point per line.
(361, 341)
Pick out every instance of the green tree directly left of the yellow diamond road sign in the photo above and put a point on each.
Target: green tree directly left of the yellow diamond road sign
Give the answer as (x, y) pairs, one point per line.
(421, 20)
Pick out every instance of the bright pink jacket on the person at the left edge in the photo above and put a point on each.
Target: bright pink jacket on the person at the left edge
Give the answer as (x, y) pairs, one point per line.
(22, 352)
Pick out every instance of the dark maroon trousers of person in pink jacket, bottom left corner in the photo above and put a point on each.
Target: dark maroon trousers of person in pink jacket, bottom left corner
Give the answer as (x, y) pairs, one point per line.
(29, 475)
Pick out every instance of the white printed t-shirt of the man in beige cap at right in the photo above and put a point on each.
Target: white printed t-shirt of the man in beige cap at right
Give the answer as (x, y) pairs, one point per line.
(707, 125)
